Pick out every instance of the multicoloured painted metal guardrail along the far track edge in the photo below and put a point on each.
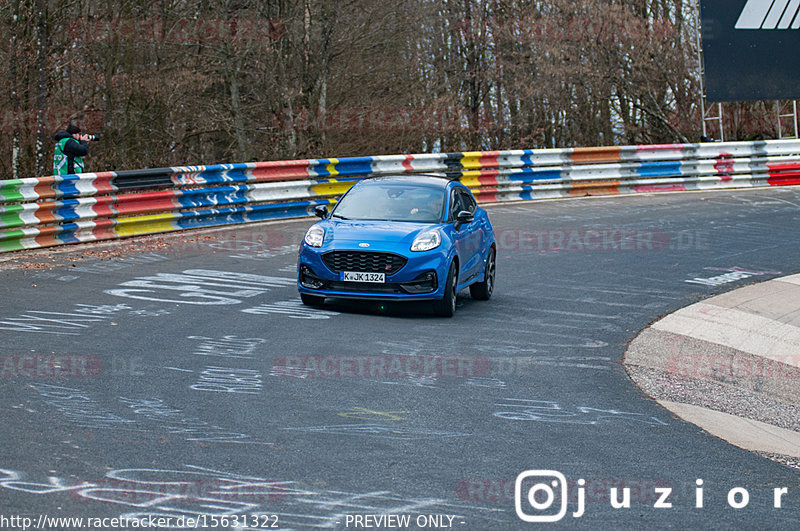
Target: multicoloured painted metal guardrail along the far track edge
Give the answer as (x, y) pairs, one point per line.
(46, 211)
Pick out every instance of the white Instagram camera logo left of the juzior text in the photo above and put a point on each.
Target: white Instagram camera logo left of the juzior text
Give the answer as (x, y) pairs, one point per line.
(544, 491)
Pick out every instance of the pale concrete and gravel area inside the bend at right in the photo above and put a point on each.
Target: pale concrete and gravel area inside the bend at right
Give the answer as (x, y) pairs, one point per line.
(711, 355)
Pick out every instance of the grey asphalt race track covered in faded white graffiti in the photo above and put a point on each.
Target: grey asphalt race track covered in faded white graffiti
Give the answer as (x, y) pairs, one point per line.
(184, 379)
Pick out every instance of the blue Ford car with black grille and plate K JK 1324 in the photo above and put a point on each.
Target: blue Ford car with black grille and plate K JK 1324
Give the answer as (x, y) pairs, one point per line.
(400, 238)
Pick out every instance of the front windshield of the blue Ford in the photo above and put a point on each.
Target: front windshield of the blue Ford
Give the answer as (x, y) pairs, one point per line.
(392, 202)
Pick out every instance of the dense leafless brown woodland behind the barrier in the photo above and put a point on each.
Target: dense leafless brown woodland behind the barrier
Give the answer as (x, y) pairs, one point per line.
(172, 82)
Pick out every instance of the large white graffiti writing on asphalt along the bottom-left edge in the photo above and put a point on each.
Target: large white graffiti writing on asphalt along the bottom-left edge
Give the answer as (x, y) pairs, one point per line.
(193, 490)
